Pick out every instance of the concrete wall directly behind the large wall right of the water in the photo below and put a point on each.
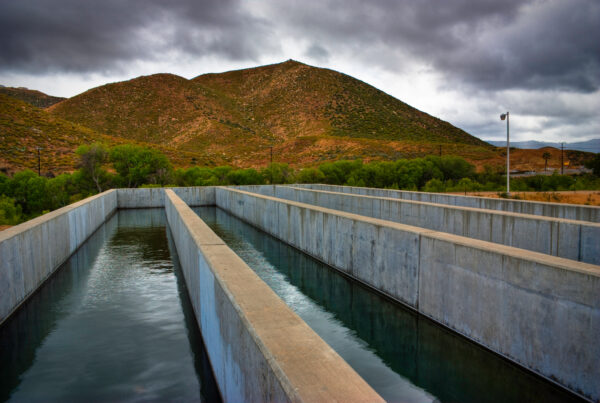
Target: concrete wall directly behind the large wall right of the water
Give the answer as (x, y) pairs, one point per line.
(570, 239)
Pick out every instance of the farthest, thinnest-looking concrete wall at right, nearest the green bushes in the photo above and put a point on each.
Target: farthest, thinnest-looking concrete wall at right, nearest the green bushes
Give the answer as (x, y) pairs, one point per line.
(558, 210)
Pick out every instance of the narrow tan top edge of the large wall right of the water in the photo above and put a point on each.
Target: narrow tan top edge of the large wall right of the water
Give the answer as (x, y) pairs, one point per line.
(536, 257)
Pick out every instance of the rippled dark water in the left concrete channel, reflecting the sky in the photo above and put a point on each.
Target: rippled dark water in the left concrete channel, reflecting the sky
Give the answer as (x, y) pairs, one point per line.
(114, 324)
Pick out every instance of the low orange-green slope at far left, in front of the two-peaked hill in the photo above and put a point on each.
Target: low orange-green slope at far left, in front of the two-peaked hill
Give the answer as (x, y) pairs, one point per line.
(23, 128)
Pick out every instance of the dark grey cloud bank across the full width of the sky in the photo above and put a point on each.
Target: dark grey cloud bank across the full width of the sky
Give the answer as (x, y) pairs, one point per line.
(535, 44)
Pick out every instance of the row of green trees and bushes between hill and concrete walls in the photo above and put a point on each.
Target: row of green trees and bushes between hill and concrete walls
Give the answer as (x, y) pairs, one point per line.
(26, 194)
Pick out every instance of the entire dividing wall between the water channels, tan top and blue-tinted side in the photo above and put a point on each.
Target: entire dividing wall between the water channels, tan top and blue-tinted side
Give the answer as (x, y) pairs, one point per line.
(259, 349)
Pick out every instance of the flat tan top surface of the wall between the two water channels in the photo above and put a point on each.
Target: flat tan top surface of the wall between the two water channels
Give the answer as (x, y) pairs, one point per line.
(307, 367)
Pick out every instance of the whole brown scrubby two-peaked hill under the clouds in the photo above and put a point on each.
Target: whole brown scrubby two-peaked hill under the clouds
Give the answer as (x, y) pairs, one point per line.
(307, 114)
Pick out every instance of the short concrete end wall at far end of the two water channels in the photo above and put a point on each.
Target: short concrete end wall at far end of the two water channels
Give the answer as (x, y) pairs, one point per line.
(155, 197)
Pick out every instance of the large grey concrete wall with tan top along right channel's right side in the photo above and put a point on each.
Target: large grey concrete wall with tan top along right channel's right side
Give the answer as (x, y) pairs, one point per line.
(540, 311)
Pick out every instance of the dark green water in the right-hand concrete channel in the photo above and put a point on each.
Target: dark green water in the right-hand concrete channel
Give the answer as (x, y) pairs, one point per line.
(402, 355)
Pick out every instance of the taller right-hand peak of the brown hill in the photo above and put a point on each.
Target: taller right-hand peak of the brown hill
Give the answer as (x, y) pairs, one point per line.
(294, 99)
